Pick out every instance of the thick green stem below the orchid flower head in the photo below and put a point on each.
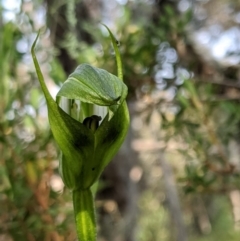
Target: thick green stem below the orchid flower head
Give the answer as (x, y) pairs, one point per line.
(84, 215)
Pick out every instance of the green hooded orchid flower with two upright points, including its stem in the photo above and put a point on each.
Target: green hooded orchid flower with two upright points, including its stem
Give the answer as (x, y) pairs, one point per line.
(87, 146)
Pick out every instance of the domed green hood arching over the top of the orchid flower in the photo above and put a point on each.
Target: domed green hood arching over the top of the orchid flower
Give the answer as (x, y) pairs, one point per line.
(93, 85)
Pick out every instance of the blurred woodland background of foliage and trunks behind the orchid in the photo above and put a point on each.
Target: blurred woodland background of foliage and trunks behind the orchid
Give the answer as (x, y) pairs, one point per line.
(177, 176)
